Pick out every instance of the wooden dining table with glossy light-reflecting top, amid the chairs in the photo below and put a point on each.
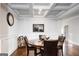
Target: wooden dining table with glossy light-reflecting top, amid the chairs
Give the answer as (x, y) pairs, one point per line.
(38, 44)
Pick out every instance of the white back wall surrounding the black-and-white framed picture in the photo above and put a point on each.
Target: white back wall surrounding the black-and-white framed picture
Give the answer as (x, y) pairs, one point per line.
(25, 27)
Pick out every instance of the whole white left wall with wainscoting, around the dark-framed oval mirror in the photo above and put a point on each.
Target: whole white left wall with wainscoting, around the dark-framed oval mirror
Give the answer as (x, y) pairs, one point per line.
(8, 34)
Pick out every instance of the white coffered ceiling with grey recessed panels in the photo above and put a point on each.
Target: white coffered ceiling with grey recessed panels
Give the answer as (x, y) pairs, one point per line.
(48, 10)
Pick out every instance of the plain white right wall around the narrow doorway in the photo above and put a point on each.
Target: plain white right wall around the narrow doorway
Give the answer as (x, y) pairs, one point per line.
(73, 28)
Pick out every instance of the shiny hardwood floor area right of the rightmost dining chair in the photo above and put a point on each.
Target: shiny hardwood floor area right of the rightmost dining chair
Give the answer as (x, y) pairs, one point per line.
(71, 49)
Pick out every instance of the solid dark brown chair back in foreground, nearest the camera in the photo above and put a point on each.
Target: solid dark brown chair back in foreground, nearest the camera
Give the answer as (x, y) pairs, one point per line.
(50, 48)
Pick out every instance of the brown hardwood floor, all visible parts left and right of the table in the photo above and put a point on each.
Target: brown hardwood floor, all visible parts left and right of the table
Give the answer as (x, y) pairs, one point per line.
(68, 50)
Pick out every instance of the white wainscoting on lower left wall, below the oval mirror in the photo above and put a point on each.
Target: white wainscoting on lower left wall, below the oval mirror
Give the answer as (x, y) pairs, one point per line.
(8, 43)
